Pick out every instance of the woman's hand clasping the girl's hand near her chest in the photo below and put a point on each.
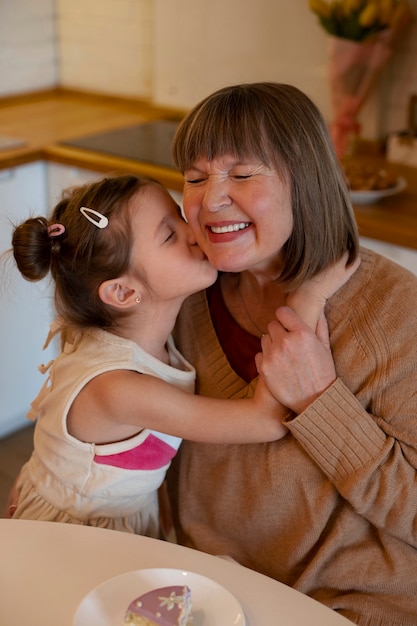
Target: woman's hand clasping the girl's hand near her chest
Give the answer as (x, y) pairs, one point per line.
(296, 363)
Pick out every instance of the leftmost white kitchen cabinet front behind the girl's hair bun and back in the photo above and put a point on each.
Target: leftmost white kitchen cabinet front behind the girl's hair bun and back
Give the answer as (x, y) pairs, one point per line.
(25, 308)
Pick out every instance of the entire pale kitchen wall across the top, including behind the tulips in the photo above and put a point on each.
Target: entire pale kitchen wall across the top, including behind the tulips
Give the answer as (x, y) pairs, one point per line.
(175, 52)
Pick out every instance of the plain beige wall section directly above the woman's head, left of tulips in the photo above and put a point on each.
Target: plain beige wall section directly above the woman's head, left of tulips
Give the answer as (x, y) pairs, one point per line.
(200, 46)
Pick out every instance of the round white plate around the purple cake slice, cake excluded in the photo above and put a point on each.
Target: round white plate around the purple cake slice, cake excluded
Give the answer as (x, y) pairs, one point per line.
(106, 605)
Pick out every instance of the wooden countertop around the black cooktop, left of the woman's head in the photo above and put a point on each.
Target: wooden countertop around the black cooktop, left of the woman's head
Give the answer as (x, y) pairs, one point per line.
(44, 121)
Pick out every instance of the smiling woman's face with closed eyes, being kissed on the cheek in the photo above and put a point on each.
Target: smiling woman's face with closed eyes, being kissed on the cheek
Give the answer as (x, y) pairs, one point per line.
(239, 211)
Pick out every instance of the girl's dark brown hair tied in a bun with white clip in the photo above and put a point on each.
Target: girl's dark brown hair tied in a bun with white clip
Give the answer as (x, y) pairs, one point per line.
(83, 256)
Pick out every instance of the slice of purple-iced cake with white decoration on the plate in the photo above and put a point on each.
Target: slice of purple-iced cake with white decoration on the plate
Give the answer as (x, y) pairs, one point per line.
(166, 606)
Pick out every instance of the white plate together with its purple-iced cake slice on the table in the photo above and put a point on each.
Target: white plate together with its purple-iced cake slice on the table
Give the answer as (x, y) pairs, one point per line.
(159, 597)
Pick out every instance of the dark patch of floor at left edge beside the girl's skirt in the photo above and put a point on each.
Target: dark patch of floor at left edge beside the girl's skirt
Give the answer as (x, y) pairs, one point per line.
(14, 451)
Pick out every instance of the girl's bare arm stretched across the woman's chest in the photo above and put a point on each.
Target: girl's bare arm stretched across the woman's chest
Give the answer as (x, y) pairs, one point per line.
(118, 404)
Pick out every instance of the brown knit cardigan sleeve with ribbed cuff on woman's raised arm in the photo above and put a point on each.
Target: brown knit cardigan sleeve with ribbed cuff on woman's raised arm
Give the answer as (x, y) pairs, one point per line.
(362, 431)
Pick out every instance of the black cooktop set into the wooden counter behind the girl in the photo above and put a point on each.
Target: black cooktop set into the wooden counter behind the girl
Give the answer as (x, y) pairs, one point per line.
(149, 143)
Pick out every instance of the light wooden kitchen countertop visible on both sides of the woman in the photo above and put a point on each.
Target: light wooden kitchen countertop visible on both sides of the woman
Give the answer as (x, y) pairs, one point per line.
(45, 121)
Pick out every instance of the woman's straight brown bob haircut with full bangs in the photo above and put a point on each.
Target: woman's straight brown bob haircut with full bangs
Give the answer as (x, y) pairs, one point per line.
(279, 125)
